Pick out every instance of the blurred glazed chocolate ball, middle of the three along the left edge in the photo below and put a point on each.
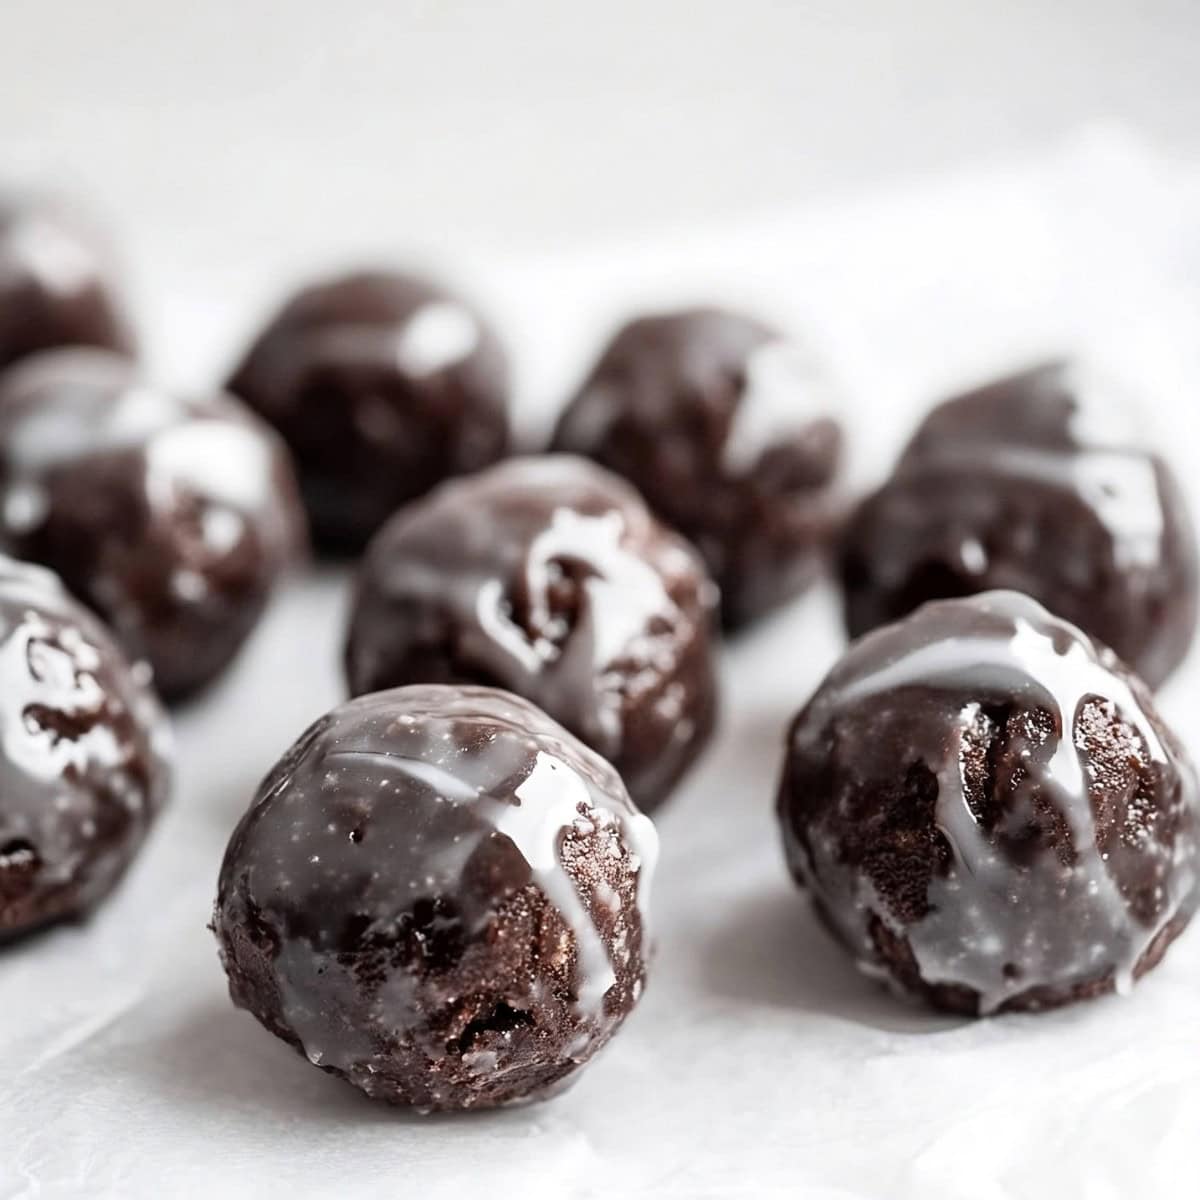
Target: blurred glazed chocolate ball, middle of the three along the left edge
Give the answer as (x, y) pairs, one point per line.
(172, 517)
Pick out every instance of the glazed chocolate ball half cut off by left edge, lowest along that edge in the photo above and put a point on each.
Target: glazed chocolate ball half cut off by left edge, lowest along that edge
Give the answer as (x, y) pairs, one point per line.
(83, 764)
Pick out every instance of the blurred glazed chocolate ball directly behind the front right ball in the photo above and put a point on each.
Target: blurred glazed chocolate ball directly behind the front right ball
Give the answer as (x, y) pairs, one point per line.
(1039, 484)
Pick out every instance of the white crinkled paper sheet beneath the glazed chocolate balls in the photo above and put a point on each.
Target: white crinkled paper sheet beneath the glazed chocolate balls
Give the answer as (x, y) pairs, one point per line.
(759, 1063)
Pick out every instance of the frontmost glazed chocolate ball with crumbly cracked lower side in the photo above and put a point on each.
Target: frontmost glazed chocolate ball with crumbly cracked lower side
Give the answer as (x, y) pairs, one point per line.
(440, 896)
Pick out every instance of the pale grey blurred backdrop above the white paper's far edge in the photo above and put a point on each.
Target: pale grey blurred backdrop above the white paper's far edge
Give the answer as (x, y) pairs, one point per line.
(550, 122)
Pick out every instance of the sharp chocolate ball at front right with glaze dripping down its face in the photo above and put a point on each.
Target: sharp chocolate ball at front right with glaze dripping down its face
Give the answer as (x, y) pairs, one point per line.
(989, 813)
